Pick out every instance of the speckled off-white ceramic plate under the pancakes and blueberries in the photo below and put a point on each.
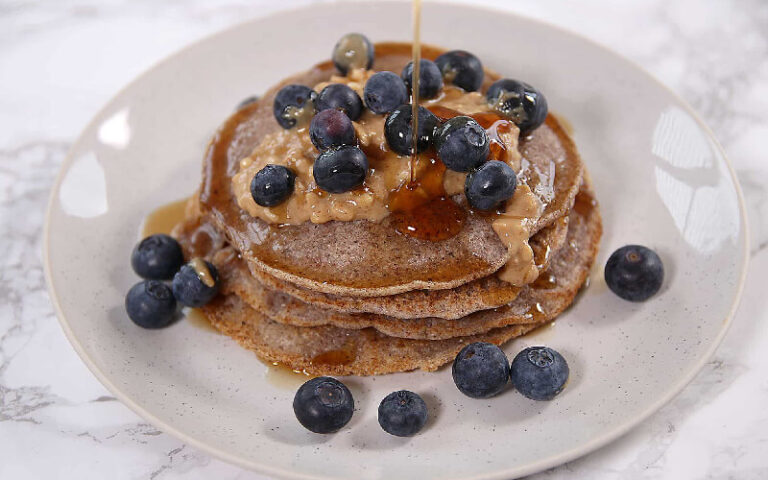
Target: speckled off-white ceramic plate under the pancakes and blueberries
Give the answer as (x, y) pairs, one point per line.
(661, 178)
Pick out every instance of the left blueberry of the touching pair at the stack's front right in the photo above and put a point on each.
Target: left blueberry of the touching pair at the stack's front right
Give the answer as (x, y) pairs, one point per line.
(480, 370)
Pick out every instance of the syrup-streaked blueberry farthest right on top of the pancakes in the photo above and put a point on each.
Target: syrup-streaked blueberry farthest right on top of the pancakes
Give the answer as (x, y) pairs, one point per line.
(519, 102)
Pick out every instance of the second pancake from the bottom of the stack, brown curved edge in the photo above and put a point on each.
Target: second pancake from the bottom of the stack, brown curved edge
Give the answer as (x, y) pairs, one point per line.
(569, 268)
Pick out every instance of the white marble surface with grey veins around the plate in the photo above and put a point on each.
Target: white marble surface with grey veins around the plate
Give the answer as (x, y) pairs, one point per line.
(61, 60)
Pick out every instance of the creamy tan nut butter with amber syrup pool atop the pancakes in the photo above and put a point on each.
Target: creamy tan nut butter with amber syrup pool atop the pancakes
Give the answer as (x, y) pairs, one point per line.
(422, 209)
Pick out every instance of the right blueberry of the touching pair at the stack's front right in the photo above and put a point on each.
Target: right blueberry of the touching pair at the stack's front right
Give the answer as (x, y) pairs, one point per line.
(539, 373)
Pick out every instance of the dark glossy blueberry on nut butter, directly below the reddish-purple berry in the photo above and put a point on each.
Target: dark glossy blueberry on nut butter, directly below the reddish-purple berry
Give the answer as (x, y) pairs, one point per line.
(340, 169)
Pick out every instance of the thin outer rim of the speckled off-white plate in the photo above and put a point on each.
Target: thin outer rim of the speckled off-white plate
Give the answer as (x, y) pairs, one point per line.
(603, 439)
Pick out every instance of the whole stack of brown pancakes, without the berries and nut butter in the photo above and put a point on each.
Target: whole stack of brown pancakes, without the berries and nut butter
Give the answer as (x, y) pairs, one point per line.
(359, 297)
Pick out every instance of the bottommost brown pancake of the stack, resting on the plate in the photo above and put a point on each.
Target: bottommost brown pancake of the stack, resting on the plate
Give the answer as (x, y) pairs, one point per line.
(328, 350)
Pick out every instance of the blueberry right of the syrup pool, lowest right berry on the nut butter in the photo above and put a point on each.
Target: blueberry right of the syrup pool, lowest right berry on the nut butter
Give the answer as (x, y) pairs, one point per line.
(490, 185)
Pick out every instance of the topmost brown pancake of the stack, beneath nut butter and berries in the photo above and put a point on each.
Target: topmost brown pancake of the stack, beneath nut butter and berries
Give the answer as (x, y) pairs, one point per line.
(363, 258)
